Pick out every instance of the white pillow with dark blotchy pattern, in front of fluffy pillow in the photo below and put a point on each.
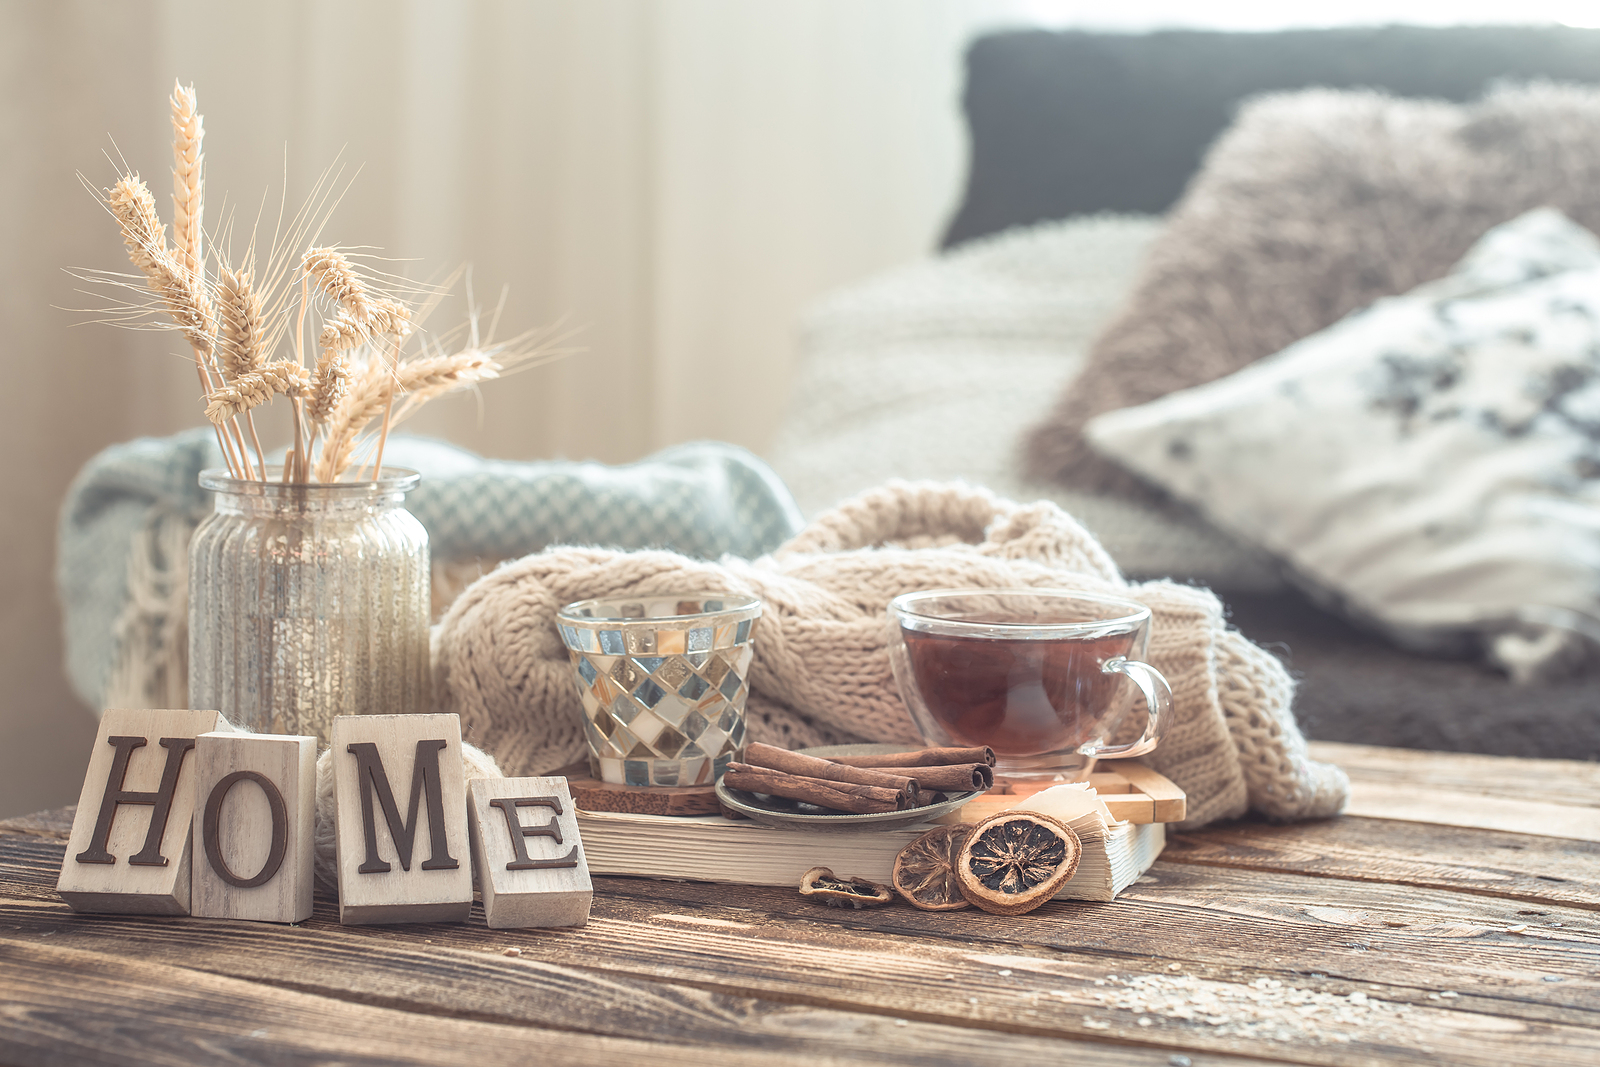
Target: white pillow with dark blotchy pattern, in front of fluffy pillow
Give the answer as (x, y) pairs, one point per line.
(1431, 463)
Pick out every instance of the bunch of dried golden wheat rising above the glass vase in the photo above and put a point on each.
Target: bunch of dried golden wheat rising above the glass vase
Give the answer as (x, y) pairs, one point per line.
(236, 327)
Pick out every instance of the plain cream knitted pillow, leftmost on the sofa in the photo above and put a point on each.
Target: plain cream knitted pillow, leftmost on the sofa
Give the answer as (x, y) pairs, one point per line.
(934, 370)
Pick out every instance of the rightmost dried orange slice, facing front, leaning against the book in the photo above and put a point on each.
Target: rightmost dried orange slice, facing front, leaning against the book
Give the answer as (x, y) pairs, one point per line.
(1014, 861)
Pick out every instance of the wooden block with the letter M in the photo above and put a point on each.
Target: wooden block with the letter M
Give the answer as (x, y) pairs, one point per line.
(401, 865)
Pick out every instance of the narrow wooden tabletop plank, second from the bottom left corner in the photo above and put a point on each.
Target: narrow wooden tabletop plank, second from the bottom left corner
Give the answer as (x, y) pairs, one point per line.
(494, 988)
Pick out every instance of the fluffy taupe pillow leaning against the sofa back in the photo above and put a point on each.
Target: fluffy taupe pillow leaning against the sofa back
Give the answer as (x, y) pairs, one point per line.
(1310, 207)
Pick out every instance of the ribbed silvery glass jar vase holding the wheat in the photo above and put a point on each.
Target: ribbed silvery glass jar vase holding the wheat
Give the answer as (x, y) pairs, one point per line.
(308, 602)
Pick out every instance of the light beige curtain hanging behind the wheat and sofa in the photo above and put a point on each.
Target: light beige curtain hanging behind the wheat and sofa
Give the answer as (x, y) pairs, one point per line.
(670, 180)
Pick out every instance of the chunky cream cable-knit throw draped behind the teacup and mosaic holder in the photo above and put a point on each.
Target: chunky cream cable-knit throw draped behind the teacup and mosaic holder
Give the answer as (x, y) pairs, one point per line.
(822, 671)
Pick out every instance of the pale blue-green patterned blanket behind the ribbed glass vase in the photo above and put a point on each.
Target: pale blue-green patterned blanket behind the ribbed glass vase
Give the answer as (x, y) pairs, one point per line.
(132, 510)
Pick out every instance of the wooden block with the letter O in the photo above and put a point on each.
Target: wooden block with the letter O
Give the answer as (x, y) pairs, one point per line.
(255, 815)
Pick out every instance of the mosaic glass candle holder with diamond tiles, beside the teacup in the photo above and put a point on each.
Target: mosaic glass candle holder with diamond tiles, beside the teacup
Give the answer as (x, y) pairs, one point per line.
(663, 681)
